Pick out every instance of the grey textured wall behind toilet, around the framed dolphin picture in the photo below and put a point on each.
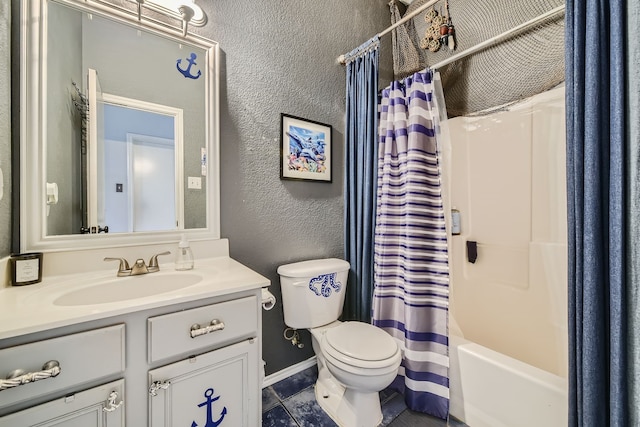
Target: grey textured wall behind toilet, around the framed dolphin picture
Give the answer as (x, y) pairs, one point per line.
(280, 57)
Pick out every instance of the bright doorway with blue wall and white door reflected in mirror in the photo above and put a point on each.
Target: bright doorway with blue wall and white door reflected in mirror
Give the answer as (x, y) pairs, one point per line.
(141, 184)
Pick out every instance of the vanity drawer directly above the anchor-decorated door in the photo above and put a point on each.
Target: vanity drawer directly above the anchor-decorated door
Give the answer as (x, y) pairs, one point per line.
(171, 334)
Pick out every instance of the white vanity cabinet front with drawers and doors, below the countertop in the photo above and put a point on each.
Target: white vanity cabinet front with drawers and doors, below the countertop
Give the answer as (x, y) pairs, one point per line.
(192, 364)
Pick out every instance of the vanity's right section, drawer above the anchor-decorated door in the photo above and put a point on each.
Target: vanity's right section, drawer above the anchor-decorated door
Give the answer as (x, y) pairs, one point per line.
(219, 387)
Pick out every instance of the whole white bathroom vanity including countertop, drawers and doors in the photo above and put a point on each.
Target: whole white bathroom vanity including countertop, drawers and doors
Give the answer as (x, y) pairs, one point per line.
(187, 356)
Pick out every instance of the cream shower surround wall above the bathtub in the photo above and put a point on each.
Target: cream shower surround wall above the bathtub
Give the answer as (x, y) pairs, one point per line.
(508, 182)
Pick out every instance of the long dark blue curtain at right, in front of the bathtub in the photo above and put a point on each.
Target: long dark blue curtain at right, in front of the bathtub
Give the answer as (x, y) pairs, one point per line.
(595, 87)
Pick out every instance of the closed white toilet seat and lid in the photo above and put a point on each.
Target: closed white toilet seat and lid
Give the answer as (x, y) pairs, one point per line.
(360, 345)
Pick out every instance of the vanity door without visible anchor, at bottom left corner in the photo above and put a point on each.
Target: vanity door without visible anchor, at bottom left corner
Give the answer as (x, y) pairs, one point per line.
(96, 407)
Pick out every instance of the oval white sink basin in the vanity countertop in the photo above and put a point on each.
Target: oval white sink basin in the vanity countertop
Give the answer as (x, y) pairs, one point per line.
(127, 288)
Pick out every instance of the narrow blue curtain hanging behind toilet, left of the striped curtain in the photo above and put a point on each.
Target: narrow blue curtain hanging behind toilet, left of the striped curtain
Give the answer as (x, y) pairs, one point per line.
(360, 176)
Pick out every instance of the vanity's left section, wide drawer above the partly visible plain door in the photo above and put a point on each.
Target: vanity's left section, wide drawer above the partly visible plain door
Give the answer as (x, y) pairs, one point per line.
(67, 367)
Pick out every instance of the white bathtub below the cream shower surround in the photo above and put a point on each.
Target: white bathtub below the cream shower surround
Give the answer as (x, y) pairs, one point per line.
(489, 389)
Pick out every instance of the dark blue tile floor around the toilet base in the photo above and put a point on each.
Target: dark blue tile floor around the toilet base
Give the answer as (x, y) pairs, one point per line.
(291, 403)
